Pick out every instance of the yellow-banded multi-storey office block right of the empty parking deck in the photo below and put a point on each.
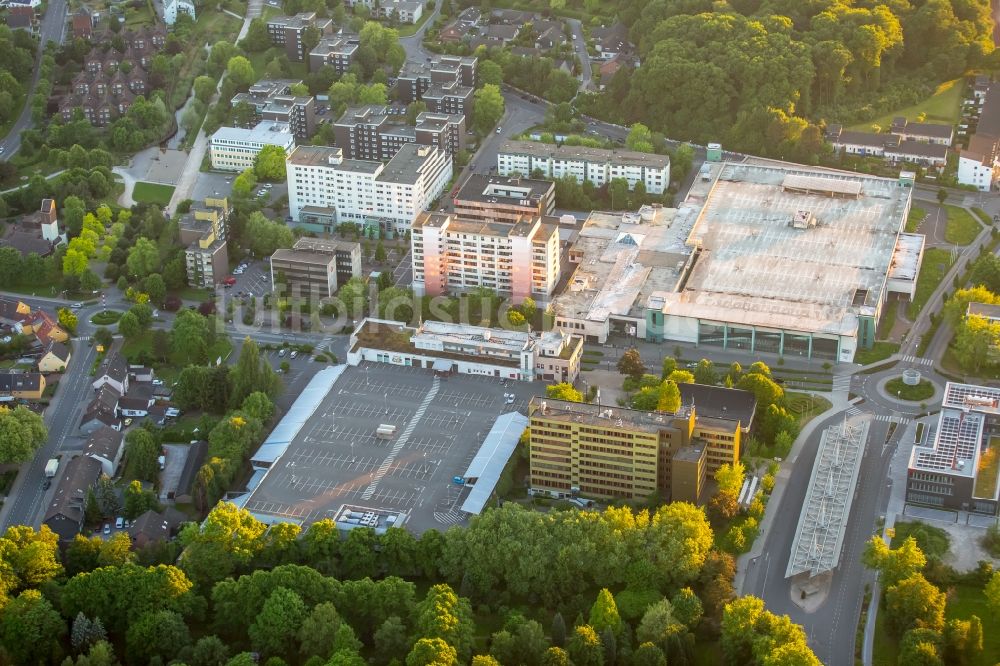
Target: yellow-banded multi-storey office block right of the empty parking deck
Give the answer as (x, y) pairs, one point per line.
(611, 452)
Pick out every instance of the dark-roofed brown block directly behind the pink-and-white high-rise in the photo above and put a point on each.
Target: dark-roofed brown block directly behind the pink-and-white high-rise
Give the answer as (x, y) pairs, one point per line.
(504, 199)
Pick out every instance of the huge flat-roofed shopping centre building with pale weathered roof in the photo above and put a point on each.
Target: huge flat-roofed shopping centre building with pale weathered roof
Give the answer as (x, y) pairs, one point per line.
(765, 257)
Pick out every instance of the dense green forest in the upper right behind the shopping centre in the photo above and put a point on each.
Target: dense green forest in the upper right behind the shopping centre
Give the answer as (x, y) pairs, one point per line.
(763, 76)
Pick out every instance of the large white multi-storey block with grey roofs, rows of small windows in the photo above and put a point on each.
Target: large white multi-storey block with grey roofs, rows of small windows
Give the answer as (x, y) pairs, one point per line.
(365, 190)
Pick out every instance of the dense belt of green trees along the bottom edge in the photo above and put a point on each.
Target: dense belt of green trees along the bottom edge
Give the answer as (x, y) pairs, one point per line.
(643, 588)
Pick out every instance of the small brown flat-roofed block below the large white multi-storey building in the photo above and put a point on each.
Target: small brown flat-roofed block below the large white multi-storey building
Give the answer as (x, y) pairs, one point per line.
(315, 266)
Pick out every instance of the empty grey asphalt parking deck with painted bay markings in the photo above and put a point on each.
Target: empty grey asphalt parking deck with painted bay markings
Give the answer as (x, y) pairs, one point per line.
(336, 459)
